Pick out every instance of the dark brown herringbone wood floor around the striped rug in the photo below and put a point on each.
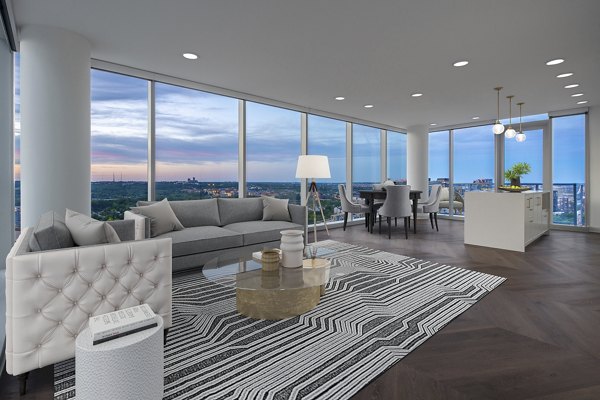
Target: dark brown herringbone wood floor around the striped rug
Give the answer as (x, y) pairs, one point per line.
(535, 337)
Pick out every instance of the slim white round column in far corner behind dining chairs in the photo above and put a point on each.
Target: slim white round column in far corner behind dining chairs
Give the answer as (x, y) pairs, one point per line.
(417, 149)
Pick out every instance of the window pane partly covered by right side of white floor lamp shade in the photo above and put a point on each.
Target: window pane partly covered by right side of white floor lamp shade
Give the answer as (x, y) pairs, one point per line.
(327, 137)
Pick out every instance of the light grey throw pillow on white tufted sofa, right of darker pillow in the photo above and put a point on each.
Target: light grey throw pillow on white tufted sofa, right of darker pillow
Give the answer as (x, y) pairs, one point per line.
(87, 231)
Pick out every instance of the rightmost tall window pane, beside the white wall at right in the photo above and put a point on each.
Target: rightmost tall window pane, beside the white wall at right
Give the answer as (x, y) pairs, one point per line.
(568, 170)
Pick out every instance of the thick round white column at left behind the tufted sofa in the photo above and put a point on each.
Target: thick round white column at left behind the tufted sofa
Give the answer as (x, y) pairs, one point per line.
(55, 122)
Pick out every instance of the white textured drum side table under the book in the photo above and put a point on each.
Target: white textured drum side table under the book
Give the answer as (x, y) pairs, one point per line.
(129, 367)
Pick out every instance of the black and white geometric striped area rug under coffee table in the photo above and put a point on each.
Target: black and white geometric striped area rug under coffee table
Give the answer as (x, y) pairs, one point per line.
(378, 308)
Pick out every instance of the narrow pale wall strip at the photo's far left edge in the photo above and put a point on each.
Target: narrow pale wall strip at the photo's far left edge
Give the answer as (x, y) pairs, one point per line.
(7, 194)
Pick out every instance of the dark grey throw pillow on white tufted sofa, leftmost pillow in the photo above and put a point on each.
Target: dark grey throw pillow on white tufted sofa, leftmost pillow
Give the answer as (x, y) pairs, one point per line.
(50, 233)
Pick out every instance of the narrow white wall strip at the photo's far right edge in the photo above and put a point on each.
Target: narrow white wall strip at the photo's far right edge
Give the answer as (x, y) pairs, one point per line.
(594, 152)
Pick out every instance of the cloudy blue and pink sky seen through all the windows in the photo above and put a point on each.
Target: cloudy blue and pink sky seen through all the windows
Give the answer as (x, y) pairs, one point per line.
(197, 136)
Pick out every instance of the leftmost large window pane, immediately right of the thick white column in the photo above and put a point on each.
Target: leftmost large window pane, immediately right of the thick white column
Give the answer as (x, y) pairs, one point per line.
(119, 143)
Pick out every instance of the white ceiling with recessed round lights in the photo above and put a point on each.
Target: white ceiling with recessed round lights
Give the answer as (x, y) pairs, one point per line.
(379, 52)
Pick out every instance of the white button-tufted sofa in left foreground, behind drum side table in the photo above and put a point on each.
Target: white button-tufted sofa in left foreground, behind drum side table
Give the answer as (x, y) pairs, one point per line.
(51, 294)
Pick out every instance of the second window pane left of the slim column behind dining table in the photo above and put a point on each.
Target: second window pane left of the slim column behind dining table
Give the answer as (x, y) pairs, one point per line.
(366, 158)
